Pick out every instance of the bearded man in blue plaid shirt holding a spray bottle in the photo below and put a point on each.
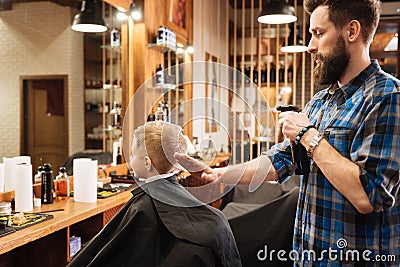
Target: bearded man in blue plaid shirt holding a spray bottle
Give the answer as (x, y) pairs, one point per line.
(348, 210)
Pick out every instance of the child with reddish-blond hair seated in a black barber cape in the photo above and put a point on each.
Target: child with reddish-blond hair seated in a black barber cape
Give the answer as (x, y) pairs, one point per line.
(162, 224)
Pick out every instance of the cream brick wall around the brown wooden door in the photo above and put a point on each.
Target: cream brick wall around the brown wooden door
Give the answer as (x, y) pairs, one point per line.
(36, 39)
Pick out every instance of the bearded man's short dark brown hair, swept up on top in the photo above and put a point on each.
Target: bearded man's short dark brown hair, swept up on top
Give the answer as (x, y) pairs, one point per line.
(341, 12)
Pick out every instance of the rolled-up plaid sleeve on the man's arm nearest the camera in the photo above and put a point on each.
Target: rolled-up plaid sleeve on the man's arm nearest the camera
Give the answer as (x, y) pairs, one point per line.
(378, 155)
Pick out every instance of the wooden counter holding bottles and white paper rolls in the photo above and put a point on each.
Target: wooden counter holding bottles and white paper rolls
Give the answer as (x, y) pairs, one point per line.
(47, 243)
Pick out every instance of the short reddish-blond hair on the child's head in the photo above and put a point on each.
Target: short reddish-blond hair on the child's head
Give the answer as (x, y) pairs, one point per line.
(159, 141)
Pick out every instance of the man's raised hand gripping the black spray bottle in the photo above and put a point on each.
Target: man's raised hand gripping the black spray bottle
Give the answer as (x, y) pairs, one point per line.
(292, 123)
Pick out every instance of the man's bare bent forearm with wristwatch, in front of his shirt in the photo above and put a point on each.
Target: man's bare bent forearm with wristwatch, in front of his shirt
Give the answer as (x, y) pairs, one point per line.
(342, 173)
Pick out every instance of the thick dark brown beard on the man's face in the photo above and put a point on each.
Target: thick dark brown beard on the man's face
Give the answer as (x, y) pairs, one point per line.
(332, 66)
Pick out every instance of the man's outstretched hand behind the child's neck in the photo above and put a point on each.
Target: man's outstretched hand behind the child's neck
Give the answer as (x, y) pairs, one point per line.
(198, 169)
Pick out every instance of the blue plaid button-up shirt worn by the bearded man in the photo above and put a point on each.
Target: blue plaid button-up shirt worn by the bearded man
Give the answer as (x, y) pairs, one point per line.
(361, 120)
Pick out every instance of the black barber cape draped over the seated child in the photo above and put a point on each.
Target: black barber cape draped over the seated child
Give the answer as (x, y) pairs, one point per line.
(162, 225)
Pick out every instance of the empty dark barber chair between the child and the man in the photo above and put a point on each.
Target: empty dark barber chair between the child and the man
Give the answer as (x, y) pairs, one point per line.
(263, 221)
